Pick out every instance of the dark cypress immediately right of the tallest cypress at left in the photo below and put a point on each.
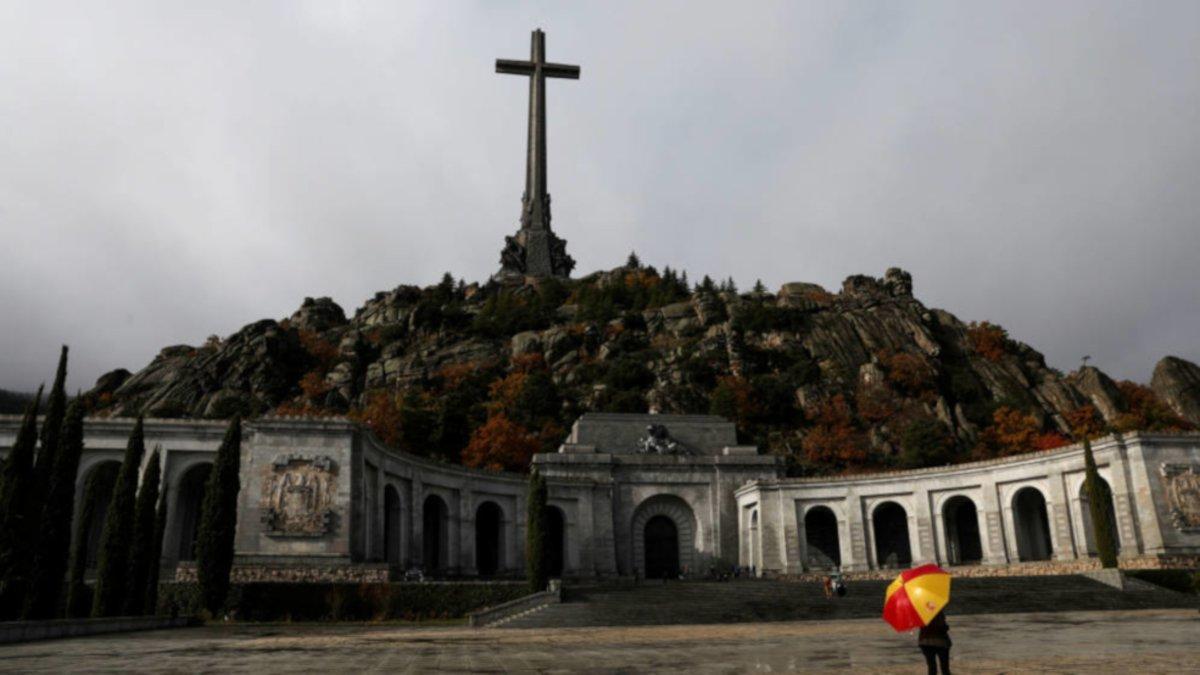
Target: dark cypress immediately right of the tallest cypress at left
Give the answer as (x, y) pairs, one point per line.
(55, 537)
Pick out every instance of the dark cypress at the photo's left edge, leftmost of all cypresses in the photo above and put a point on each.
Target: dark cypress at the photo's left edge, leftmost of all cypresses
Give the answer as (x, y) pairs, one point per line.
(17, 522)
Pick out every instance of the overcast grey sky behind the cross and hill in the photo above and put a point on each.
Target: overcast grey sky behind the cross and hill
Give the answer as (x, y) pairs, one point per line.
(172, 172)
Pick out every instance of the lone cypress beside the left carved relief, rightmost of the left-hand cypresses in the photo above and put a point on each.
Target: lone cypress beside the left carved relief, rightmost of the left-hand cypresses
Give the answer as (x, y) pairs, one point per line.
(219, 522)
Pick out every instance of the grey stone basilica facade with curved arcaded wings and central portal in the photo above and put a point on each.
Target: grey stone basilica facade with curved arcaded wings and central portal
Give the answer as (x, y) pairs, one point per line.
(647, 495)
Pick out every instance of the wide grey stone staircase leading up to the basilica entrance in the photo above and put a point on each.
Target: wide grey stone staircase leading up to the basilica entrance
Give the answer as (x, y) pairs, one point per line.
(751, 601)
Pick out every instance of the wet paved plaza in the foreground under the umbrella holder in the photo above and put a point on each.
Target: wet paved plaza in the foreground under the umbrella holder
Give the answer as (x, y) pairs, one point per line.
(1095, 642)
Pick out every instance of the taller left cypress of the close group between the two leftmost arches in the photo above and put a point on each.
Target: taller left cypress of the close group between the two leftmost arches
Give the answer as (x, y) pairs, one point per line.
(113, 569)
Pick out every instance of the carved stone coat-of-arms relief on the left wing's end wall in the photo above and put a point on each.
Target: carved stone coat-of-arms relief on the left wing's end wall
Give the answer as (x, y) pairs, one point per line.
(298, 495)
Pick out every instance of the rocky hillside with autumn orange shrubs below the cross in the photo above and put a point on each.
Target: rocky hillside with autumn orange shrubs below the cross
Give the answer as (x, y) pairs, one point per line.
(867, 378)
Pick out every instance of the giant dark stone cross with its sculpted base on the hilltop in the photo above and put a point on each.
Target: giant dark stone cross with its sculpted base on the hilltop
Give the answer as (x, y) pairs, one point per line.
(536, 250)
